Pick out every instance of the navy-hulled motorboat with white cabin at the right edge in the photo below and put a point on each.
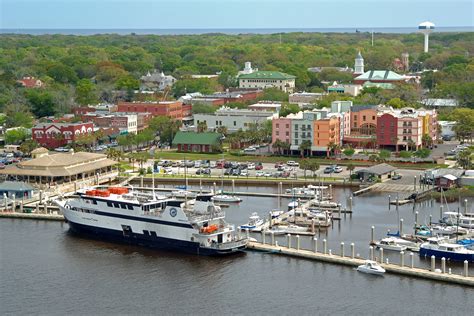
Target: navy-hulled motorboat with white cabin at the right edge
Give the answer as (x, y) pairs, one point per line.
(440, 247)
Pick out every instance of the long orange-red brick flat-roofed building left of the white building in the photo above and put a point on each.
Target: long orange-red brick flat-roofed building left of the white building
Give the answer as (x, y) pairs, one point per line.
(172, 109)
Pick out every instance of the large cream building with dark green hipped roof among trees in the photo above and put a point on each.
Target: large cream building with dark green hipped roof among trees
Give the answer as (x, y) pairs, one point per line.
(268, 79)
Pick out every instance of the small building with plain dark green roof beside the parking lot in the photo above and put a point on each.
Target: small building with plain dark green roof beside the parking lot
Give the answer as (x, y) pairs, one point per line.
(207, 142)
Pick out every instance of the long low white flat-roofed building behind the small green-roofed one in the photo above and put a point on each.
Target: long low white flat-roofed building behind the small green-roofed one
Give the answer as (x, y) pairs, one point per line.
(233, 119)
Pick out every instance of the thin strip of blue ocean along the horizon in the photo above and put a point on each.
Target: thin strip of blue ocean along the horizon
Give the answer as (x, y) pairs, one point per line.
(396, 30)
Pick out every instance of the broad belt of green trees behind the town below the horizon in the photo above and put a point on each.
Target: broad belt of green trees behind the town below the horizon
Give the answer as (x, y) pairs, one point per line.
(88, 69)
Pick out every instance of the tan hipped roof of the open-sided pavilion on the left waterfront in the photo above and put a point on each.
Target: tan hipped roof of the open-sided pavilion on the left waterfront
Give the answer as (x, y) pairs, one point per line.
(59, 165)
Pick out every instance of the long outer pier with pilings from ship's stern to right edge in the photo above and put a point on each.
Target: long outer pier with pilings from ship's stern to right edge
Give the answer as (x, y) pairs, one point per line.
(351, 260)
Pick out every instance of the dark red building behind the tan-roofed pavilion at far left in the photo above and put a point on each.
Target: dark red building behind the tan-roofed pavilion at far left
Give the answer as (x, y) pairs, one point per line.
(53, 135)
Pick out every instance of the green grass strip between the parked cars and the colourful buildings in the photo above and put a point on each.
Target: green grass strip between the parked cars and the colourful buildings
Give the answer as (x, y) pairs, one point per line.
(173, 155)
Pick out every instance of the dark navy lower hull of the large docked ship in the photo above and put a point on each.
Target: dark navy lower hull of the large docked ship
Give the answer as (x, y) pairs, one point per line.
(155, 242)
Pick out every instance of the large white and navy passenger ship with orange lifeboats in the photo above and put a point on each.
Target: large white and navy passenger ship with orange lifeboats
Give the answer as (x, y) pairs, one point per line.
(141, 219)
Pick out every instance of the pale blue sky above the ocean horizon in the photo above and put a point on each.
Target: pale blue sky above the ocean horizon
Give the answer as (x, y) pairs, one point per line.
(209, 14)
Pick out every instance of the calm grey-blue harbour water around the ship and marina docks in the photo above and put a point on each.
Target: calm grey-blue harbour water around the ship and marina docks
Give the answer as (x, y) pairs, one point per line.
(47, 270)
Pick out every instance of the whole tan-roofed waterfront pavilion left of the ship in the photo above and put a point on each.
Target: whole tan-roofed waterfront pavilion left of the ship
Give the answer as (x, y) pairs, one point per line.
(62, 168)
